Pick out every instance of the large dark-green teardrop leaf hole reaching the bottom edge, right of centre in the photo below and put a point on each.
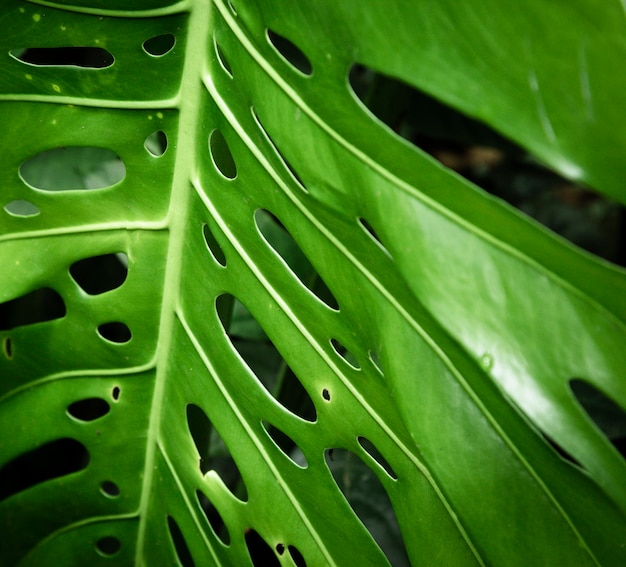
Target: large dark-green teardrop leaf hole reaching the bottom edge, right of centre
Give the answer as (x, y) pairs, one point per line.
(368, 499)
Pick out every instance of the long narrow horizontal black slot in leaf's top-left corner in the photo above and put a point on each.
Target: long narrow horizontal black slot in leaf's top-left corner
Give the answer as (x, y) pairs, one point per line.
(88, 57)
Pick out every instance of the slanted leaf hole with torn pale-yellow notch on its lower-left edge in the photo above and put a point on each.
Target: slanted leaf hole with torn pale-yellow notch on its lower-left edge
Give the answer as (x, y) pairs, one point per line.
(213, 452)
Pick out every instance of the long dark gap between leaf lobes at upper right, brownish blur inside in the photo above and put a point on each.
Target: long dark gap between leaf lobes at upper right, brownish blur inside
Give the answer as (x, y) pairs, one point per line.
(494, 163)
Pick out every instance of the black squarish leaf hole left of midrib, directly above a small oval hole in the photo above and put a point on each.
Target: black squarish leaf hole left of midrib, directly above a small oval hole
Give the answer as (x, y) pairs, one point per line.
(100, 274)
